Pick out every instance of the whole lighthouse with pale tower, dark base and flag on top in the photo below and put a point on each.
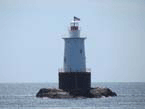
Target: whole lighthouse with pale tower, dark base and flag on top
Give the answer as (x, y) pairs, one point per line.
(74, 76)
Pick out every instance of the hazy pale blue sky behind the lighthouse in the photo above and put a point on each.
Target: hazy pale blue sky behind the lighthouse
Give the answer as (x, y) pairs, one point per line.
(31, 48)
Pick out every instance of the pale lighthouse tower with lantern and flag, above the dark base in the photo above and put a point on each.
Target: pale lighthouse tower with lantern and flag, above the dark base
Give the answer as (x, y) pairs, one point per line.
(74, 52)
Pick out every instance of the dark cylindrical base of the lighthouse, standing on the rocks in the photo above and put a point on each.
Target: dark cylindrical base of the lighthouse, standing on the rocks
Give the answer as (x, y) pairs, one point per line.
(75, 82)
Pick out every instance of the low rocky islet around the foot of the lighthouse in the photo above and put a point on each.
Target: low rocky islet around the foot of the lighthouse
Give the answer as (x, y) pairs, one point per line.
(59, 93)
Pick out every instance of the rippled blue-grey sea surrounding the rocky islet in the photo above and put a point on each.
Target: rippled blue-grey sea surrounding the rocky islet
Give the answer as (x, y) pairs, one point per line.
(22, 96)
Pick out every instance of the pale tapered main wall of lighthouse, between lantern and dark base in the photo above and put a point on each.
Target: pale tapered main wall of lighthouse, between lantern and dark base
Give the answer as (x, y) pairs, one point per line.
(74, 55)
